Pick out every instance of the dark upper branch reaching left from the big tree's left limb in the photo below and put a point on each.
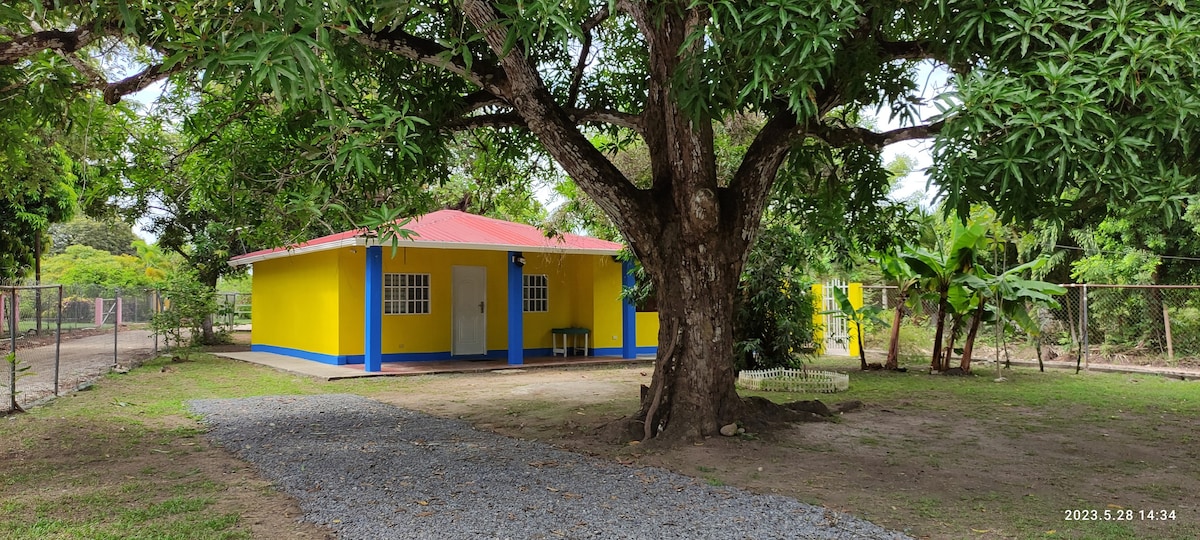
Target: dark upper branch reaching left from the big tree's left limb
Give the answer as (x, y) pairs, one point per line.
(482, 74)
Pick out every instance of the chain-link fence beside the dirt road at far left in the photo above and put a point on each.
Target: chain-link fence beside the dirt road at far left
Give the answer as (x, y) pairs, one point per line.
(57, 339)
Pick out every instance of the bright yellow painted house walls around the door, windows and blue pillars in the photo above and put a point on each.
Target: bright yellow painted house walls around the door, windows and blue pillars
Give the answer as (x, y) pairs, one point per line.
(315, 302)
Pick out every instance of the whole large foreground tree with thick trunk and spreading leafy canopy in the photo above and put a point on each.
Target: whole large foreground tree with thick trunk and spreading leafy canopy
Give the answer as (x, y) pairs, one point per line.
(1051, 105)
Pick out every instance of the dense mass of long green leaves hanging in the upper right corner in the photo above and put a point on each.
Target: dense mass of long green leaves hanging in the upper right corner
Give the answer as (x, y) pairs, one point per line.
(1076, 104)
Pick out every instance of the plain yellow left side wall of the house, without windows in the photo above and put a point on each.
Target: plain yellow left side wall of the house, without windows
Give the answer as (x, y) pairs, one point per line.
(296, 303)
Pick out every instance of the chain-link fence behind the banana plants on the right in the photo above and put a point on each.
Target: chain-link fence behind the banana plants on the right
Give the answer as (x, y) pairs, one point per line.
(1093, 323)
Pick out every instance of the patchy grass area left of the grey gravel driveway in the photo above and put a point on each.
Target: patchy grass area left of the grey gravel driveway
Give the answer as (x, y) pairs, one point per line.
(127, 459)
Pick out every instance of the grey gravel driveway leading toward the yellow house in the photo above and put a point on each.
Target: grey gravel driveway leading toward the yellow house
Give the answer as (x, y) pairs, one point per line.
(373, 471)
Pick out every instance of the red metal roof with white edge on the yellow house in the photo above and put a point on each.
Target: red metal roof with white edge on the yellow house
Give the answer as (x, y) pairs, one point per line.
(455, 231)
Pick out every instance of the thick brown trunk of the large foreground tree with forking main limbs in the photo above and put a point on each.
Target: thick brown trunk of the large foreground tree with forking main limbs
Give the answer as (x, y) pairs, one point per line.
(691, 231)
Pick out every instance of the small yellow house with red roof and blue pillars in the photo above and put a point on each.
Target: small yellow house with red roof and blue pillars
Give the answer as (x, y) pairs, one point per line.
(464, 287)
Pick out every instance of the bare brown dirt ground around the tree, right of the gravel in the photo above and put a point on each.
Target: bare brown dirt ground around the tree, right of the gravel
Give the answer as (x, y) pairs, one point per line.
(932, 472)
